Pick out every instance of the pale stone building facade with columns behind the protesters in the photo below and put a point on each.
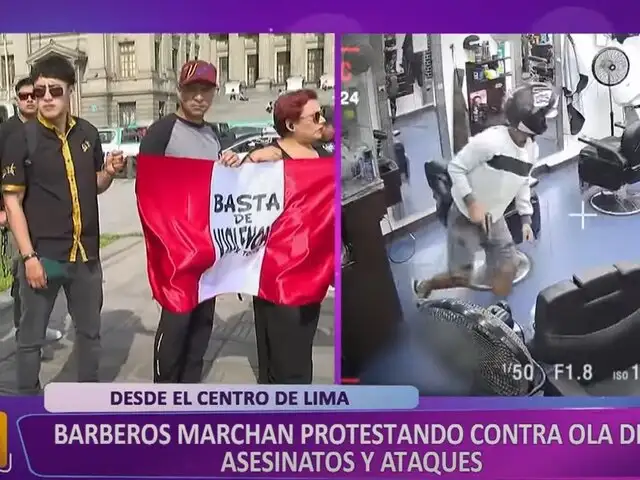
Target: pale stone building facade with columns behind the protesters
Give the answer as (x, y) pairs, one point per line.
(130, 79)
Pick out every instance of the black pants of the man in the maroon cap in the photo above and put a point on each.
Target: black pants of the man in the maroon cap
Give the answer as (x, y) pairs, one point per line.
(181, 342)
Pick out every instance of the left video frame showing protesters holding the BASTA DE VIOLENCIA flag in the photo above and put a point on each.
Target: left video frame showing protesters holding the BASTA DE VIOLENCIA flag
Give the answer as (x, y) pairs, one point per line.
(126, 257)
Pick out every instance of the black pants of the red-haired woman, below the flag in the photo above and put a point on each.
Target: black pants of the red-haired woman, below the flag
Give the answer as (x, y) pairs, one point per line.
(285, 342)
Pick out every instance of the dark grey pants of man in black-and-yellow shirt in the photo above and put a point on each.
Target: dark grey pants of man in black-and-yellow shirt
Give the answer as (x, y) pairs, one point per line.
(83, 289)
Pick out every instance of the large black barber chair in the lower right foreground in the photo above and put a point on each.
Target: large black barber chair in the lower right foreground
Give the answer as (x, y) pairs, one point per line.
(587, 332)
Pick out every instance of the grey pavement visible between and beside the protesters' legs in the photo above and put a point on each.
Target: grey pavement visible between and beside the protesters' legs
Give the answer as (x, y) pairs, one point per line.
(129, 320)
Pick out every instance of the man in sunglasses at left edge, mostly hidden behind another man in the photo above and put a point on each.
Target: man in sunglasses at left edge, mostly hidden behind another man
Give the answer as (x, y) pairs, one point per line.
(27, 110)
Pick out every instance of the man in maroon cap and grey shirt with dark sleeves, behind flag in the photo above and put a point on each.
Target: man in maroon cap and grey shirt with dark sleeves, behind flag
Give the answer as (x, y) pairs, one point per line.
(182, 339)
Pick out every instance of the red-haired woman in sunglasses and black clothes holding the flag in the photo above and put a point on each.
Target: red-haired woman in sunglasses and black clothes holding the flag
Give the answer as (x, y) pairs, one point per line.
(284, 334)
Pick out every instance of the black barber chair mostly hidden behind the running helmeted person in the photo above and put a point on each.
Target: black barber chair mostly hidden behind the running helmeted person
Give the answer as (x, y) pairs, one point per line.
(440, 183)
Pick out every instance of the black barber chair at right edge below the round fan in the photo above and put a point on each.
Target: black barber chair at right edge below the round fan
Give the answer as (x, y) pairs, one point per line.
(613, 165)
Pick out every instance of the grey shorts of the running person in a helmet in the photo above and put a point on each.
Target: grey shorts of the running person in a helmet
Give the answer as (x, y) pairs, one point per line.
(464, 239)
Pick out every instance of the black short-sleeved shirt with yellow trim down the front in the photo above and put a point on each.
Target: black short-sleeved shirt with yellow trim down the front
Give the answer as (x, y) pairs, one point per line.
(60, 185)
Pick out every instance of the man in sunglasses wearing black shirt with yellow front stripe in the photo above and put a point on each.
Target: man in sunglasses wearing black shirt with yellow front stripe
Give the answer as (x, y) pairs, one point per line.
(58, 160)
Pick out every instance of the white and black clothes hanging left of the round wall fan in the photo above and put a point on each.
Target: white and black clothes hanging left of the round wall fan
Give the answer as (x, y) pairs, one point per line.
(575, 79)
